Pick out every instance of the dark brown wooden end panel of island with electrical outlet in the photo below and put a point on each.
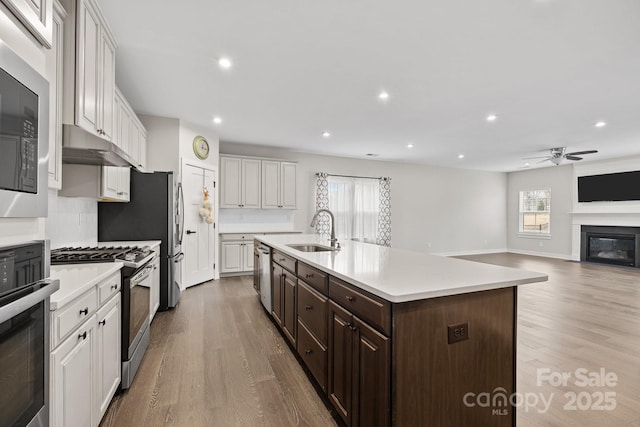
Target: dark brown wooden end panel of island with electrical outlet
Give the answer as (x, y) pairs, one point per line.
(431, 376)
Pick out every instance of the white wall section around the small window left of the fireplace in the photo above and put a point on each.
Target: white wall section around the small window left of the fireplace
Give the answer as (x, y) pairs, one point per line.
(559, 179)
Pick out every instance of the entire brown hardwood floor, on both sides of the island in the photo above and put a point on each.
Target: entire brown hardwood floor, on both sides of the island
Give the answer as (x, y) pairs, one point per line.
(217, 360)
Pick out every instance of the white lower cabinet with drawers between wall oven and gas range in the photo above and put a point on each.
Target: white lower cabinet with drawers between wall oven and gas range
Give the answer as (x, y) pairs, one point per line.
(86, 360)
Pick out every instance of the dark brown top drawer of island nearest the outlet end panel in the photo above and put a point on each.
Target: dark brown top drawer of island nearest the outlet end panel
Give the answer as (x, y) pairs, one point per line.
(370, 308)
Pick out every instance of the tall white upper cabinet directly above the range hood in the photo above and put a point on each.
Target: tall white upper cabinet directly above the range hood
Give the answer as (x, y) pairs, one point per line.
(90, 52)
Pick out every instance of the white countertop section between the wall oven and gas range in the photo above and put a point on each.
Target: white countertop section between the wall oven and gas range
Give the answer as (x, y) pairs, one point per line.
(76, 279)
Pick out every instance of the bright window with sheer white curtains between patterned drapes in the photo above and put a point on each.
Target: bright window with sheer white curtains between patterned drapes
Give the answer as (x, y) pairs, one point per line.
(355, 203)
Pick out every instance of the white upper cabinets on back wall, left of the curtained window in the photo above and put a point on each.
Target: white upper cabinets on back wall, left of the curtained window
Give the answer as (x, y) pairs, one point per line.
(247, 182)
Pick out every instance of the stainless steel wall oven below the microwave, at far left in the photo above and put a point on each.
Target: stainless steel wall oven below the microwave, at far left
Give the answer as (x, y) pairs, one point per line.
(24, 335)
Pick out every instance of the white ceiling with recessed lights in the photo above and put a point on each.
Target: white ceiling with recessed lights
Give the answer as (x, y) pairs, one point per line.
(549, 69)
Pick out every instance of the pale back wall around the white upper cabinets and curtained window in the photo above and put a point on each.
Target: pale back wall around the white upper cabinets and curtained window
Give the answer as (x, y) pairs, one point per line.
(433, 209)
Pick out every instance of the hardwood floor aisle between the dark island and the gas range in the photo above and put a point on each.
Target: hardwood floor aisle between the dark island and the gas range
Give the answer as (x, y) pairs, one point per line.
(216, 360)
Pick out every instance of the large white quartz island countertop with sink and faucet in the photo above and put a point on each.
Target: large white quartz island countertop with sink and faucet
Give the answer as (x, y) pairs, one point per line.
(399, 275)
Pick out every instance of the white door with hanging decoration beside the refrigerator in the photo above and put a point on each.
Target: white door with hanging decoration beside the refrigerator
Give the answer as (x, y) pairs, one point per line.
(198, 243)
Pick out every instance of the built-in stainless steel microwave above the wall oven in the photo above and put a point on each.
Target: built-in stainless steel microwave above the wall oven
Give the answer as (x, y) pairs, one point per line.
(24, 137)
